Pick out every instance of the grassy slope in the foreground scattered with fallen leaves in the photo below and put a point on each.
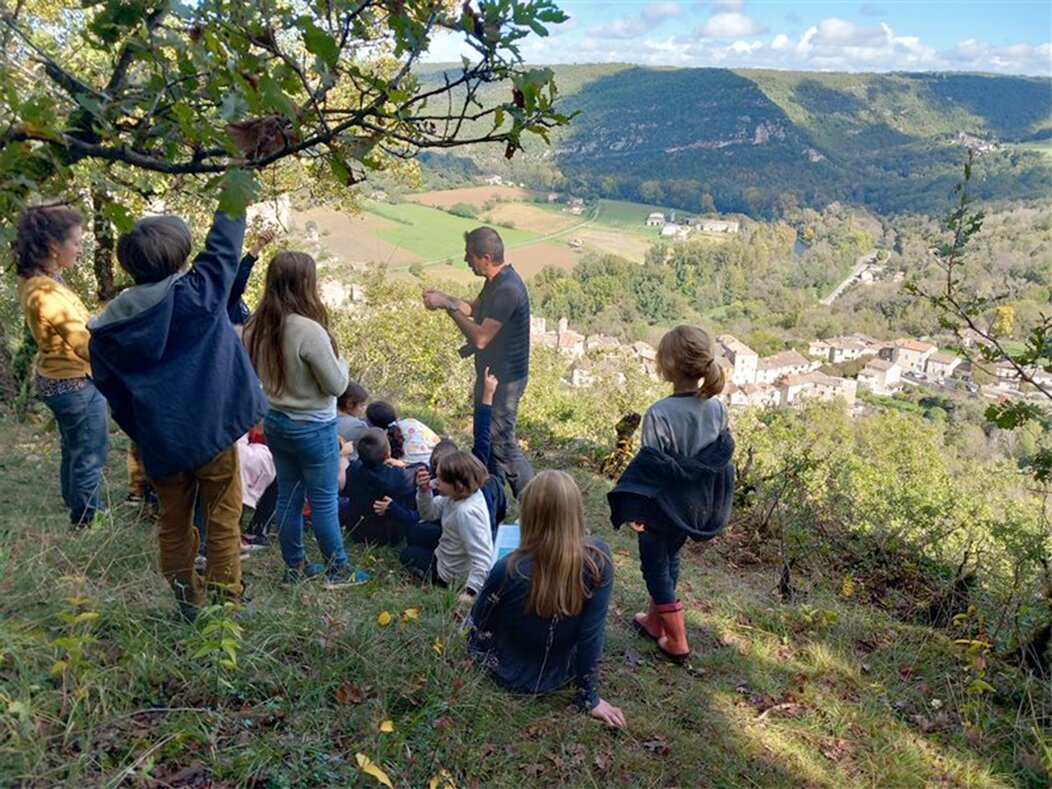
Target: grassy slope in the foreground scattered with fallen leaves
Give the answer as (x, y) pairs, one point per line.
(824, 693)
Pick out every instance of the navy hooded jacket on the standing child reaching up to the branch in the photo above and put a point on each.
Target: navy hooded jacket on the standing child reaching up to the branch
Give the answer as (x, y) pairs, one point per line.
(167, 358)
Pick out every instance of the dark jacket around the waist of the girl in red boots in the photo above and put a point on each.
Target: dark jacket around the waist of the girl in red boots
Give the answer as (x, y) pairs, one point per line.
(672, 495)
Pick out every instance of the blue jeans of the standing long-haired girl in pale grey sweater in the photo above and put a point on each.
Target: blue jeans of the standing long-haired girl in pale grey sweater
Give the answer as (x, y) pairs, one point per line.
(307, 456)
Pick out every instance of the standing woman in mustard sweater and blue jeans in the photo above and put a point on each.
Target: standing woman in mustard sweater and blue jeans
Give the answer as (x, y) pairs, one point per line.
(49, 244)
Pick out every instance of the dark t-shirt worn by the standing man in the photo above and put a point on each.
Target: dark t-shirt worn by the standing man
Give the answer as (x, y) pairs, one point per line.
(505, 299)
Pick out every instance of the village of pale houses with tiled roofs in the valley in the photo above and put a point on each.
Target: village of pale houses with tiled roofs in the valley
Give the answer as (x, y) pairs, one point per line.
(790, 377)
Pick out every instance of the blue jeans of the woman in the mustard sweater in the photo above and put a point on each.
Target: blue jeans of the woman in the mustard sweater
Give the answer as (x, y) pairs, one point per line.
(84, 421)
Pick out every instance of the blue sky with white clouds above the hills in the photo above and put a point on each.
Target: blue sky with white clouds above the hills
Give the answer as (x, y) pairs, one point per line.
(833, 36)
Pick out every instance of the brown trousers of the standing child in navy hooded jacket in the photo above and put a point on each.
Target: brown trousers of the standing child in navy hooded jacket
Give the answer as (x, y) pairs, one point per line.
(217, 485)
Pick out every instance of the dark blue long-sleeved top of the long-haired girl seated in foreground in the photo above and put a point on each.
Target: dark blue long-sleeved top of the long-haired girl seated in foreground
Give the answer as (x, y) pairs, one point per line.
(531, 655)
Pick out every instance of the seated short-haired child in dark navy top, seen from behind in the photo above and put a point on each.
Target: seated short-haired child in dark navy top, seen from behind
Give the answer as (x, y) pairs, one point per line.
(381, 507)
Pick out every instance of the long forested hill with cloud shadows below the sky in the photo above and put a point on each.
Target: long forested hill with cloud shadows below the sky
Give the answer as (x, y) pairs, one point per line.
(754, 138)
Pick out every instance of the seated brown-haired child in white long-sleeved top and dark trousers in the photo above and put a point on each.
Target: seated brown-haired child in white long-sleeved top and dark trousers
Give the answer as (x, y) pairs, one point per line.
(461, 550)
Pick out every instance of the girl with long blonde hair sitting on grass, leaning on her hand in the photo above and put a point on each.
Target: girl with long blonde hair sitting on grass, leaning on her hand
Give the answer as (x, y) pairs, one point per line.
(539, 621)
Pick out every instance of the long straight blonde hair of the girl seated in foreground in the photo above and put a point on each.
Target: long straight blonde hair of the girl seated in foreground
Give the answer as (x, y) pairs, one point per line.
(553, 533)
